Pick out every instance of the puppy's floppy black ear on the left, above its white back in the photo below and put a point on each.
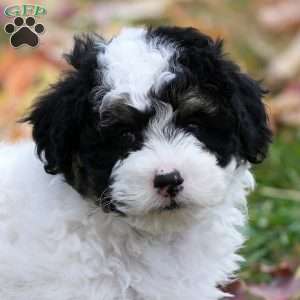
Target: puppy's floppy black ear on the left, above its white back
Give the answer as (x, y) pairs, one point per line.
(59, 116)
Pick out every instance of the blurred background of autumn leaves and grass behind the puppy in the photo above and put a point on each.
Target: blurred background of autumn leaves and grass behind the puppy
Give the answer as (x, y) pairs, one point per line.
(263, 36)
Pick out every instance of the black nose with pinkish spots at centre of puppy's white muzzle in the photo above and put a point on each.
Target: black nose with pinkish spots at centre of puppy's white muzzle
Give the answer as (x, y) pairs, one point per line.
(168, 184)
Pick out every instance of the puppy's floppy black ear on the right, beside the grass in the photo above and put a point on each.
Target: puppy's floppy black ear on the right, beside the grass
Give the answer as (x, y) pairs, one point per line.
(254, 134)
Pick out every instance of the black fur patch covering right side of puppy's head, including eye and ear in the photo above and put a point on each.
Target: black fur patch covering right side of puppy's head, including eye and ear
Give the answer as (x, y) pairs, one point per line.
(237, 123)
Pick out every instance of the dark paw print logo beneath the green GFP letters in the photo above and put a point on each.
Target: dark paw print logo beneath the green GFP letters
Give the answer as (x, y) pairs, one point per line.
(24, 33)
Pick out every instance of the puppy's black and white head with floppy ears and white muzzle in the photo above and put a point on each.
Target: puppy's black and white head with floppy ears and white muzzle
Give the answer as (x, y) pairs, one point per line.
(152, 122)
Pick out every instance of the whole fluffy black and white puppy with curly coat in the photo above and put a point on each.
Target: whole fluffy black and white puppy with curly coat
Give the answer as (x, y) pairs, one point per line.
(140, 190)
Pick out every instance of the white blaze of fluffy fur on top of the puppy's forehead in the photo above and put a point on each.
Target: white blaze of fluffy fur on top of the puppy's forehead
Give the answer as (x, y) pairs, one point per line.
(132, 65)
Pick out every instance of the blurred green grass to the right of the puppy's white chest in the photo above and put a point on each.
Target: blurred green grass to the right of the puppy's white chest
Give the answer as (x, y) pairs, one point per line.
(274, 209)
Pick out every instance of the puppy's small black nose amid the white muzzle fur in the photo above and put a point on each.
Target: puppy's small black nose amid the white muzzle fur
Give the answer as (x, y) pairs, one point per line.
(171, 181)
